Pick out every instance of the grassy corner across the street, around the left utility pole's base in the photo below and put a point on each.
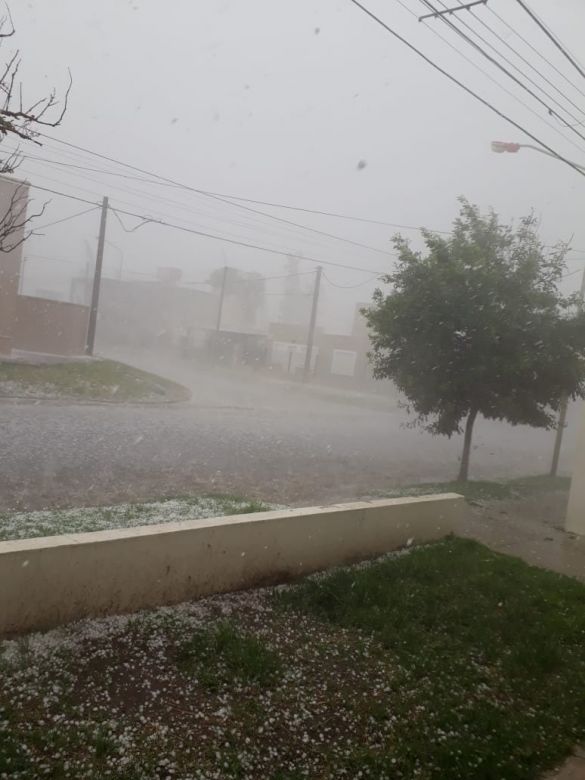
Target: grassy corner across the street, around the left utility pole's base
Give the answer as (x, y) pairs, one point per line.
(99, 380)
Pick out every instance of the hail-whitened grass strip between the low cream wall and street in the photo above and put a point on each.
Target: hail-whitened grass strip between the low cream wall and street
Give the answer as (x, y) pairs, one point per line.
(52, 522)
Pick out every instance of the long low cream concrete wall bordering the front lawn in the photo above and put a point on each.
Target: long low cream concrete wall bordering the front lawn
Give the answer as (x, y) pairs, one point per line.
(49, 581)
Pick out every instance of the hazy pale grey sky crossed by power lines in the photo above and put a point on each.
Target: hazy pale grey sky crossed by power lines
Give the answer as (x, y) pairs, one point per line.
(280, 101)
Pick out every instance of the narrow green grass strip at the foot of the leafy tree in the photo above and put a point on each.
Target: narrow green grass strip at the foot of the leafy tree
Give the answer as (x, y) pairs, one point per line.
(482, 490)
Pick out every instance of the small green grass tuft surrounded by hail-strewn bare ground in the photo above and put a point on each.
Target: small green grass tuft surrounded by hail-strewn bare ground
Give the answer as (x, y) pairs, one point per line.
(223, 654)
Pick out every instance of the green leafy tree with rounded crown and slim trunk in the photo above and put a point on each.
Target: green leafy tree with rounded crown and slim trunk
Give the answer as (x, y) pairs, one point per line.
(476, 325)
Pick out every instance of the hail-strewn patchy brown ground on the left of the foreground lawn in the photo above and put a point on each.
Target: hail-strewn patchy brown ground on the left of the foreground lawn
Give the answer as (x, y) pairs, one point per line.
(232, 686)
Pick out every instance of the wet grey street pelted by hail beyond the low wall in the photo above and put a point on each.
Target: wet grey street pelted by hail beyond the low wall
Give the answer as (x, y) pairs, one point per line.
(239, 434)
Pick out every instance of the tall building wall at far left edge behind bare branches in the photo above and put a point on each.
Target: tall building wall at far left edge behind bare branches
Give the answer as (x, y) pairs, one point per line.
(13, 194)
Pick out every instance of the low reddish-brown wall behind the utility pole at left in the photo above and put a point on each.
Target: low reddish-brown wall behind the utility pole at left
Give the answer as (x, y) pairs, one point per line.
(53, 327)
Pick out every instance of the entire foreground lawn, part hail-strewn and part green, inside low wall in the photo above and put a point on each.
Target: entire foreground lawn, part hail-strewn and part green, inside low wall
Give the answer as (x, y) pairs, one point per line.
(445, 662)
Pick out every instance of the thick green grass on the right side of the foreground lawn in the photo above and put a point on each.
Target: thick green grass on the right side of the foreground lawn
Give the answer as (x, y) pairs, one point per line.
(490, 659)
